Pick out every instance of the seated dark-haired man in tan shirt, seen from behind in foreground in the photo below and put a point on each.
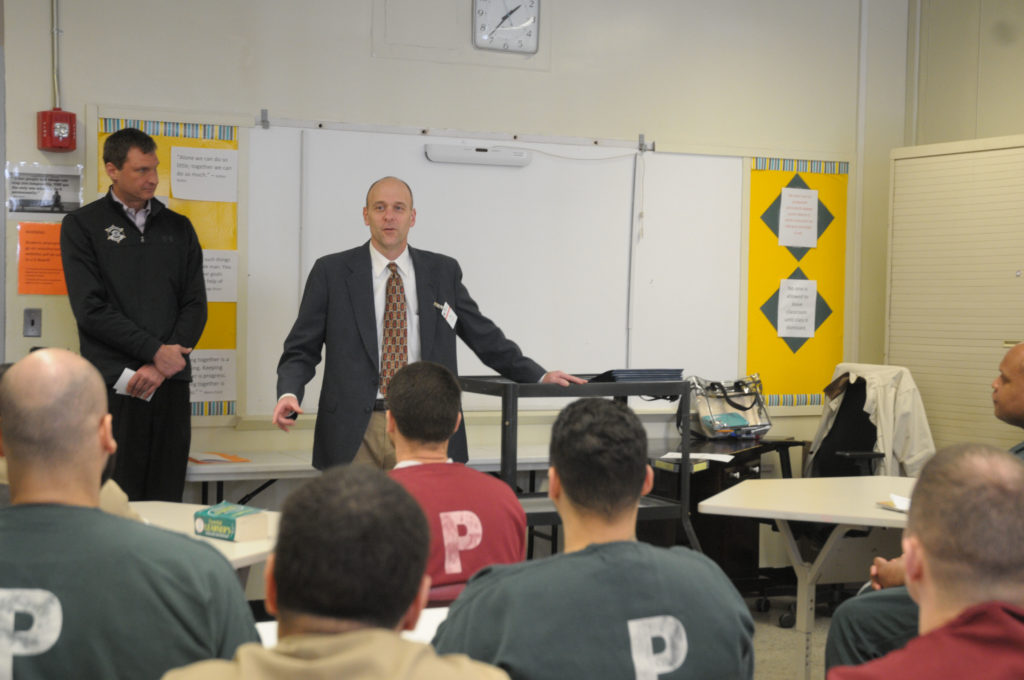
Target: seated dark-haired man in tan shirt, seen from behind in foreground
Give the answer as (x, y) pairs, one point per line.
(347, 577)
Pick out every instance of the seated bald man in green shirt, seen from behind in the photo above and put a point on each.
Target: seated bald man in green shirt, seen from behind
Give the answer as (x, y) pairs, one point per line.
(83, 593)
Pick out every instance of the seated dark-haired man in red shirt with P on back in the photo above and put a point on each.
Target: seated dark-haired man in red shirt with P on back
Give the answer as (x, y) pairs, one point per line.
(476, 520)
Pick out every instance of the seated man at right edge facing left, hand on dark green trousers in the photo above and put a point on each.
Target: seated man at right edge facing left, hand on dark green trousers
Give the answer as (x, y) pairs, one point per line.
(872, 625)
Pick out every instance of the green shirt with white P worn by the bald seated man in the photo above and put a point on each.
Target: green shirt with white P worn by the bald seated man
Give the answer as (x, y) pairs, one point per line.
(97, 597)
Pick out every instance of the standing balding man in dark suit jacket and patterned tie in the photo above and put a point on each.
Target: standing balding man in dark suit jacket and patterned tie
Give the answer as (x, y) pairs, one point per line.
(343, 310)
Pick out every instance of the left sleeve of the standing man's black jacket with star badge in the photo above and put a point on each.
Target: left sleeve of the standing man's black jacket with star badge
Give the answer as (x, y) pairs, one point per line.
(91, 300)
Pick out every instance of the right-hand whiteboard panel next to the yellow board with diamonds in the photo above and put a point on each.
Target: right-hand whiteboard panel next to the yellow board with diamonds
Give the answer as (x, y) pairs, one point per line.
(687, 309)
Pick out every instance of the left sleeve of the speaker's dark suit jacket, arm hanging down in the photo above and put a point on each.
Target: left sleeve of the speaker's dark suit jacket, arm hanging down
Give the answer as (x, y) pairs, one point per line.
(305, 344)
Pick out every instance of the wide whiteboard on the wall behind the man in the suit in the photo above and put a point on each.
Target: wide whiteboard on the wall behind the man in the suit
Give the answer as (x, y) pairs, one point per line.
(547, 250)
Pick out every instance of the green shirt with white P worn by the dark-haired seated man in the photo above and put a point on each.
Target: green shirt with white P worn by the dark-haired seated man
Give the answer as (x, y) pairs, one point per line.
(613, 611)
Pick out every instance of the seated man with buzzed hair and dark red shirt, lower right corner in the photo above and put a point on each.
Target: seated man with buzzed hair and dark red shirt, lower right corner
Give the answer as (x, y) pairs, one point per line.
(964, 565)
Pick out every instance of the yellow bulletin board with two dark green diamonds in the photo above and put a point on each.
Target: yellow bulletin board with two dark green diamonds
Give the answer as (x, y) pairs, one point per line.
(795, 370)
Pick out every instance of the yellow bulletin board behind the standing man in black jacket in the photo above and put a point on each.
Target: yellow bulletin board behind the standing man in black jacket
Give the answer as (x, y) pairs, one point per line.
(216, 223)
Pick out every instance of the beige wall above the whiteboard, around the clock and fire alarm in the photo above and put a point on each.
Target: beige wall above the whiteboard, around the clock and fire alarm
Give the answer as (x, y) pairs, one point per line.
(793, 78)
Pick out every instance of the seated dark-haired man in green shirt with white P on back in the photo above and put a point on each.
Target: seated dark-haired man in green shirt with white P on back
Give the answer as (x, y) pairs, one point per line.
(609, 607)
